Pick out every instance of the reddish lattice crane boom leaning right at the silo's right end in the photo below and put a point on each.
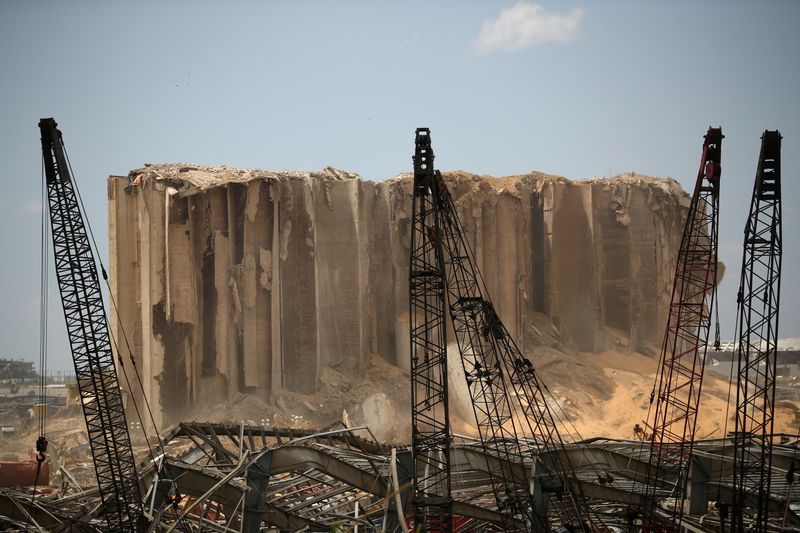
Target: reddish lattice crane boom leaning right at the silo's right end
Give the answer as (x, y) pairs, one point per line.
(680, 375)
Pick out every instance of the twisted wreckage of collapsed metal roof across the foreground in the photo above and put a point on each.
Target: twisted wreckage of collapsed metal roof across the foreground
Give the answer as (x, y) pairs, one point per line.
(235, 478)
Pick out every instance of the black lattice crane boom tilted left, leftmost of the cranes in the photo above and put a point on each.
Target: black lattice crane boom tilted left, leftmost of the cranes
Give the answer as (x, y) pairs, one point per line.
(87, 328)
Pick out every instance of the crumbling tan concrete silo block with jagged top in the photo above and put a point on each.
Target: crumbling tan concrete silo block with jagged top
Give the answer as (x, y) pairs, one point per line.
(232, 281)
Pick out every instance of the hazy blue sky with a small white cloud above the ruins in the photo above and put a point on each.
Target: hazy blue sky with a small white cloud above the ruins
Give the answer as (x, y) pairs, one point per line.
(578, 89)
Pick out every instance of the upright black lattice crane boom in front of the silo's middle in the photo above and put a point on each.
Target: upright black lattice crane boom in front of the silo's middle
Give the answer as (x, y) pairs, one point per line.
(430, 426)
